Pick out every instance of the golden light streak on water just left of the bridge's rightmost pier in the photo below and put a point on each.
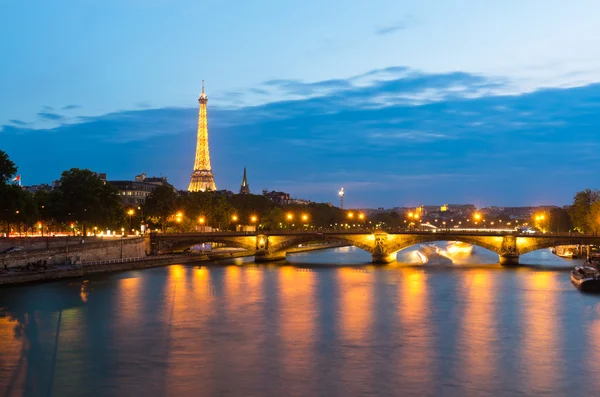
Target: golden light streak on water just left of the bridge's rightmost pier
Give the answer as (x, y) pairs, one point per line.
(478, 329)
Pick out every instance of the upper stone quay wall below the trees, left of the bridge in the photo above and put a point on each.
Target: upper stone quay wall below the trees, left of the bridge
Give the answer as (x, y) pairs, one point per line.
(87, 251)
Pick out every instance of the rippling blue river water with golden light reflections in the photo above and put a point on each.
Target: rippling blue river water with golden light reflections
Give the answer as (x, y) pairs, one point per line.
(325, 323)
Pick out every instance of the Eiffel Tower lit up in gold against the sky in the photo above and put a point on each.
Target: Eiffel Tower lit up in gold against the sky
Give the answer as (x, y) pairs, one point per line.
(202, 177)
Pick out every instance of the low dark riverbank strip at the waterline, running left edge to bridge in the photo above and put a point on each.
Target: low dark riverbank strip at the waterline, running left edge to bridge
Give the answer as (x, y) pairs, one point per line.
(74, 271)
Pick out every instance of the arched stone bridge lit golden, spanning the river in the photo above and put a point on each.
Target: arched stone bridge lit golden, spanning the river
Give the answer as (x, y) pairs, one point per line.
(382, 246)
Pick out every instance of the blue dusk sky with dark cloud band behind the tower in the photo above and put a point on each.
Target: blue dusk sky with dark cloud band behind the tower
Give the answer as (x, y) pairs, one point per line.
(402, 103)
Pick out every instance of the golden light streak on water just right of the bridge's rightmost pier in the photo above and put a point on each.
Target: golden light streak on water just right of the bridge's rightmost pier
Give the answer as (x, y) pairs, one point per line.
(541, 331)
